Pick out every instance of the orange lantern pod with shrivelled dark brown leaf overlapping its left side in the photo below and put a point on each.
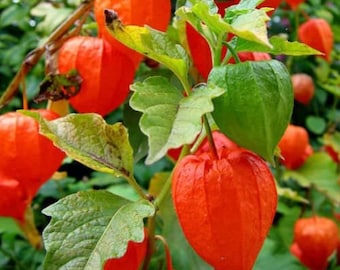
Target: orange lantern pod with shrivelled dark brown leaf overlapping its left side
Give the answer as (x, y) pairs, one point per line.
(105, 70)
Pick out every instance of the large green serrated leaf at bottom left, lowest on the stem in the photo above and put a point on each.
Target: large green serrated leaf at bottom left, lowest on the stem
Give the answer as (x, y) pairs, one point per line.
(89, 227)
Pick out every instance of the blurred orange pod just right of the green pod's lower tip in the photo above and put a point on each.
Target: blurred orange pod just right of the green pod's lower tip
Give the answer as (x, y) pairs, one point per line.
(294, 147)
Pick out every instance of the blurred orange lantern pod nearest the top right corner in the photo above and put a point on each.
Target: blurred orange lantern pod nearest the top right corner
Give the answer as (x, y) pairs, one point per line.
(317, 34)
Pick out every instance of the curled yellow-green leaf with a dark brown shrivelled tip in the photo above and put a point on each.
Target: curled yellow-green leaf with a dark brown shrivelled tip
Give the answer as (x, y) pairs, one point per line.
(152, 43)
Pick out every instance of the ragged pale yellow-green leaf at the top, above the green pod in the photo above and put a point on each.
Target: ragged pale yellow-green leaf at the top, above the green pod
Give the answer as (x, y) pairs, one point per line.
(250, 26)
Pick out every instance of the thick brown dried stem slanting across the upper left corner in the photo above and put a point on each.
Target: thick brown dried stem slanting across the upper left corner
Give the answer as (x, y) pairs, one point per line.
(33, 57)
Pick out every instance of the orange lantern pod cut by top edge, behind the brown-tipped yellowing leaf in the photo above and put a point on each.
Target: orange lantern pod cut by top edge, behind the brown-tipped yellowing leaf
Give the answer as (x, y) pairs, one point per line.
(154, 13)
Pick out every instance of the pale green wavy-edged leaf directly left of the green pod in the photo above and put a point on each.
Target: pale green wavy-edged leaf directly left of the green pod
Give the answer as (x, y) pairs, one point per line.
(169, 119)
